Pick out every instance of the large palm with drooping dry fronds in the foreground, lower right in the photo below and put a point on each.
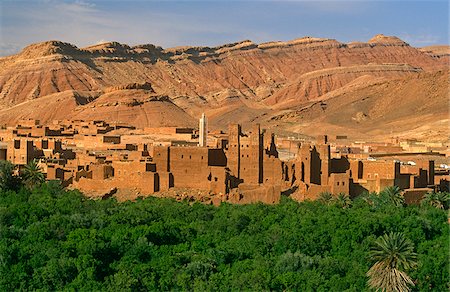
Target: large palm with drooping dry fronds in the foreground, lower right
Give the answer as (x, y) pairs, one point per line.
(394, 255)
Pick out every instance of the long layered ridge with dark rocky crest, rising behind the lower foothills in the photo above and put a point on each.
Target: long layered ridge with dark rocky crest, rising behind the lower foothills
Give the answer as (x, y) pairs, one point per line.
(243, 80)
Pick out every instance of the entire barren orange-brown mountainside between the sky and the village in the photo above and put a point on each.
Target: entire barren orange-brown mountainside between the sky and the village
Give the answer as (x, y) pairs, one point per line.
(146, 85)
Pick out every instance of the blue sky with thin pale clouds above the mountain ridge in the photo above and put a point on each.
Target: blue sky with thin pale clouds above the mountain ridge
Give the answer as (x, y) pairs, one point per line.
(215, 22)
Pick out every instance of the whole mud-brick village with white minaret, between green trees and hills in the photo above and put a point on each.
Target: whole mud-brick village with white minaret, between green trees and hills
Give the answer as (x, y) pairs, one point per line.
(237, 166)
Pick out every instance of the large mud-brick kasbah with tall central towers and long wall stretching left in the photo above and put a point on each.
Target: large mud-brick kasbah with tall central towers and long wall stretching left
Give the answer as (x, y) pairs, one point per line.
(242, 172)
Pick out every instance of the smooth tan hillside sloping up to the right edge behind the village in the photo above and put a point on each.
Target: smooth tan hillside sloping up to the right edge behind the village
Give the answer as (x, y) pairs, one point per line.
(409, 107)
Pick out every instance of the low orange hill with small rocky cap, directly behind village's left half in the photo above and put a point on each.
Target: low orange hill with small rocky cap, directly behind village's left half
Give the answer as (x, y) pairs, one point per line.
(137, 107)
